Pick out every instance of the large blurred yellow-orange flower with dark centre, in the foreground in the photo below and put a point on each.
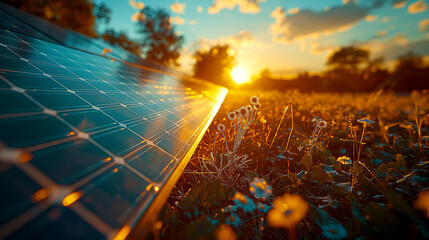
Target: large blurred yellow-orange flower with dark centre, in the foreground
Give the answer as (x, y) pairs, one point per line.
(288, 211)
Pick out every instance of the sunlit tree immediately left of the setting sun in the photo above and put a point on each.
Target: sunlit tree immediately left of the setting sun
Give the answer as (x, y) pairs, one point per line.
(214, 65)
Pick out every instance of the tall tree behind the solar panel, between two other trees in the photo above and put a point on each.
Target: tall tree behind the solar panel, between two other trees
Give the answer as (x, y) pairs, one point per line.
(160, 42)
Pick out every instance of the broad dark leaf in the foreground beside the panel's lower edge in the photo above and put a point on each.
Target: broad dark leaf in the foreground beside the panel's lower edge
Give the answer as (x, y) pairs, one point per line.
(204, 195)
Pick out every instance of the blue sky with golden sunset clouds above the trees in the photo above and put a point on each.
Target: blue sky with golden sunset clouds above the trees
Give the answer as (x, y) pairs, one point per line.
(287, 36)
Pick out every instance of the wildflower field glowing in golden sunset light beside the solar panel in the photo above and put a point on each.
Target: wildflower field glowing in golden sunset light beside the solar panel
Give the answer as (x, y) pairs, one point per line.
(307, 166)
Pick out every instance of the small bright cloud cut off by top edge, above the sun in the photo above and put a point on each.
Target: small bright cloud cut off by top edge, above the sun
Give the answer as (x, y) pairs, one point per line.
(244, 6)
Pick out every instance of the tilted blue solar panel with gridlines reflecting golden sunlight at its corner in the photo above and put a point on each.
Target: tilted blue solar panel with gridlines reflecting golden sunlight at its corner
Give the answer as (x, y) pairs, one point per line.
(90, 146)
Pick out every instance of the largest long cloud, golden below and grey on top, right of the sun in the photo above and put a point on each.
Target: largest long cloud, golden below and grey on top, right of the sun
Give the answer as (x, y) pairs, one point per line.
(307, 23)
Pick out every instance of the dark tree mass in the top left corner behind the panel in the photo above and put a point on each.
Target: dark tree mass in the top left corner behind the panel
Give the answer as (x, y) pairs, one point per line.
(77, 15)
